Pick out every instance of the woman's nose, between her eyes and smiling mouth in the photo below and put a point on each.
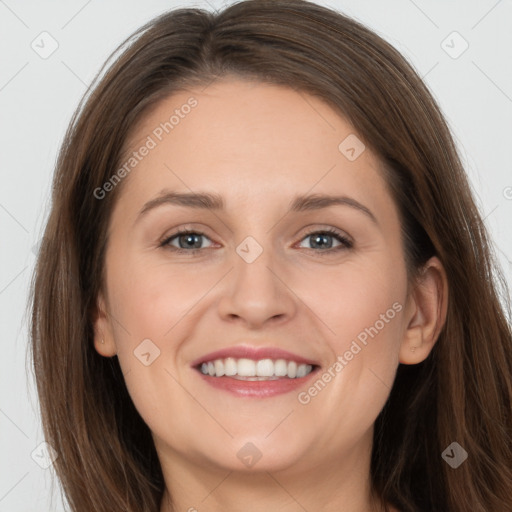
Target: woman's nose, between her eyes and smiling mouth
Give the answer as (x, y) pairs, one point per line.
(257, 293)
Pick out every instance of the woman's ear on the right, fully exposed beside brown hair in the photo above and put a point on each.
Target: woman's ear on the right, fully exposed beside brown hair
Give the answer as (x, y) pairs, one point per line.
(425, 313)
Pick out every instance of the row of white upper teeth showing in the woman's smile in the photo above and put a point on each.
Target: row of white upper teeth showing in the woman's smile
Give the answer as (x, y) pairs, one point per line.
(250, 368)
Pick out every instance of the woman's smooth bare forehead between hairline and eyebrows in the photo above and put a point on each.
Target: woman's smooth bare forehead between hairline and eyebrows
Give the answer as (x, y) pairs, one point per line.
(248, 139)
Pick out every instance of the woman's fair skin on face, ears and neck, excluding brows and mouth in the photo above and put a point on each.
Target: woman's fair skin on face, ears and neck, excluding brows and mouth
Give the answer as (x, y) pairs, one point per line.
(258, 146)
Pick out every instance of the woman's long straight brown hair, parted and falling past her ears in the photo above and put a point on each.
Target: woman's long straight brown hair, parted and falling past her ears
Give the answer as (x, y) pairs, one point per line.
(461, 392)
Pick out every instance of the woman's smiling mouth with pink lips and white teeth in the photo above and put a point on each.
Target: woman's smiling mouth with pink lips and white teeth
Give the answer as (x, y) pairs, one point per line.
(256, 372)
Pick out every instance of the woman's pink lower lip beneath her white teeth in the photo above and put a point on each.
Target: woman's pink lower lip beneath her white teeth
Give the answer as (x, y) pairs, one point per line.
(256, 388)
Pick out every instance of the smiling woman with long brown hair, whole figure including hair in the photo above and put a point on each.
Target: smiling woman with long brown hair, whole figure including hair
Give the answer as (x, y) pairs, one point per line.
(191, 353)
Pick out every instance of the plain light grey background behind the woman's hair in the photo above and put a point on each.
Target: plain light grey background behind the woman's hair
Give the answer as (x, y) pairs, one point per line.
(38, 96)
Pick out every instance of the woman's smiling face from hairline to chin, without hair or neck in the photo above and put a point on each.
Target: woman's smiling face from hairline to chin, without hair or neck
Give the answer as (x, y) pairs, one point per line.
(272, 283)
